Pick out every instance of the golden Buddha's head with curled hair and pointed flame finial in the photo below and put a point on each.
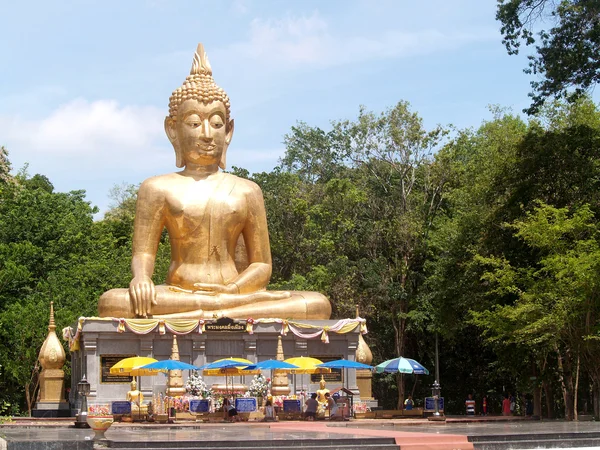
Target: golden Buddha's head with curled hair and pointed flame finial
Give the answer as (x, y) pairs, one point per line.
(199, 124)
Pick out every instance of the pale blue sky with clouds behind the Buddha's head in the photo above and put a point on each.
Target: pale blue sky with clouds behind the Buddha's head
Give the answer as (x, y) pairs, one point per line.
(85, 84)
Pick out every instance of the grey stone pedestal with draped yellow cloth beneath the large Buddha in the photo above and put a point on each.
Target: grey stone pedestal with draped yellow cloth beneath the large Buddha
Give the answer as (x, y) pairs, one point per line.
(101, 342)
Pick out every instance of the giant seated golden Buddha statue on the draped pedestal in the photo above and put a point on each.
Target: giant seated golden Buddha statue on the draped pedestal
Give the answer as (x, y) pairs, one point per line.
(217, 225)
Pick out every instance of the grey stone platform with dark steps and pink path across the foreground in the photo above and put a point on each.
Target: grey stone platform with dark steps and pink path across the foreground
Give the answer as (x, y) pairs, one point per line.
(485, 433)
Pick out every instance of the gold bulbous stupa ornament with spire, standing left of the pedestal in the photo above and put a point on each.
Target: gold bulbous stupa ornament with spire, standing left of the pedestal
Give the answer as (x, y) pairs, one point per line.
(52, 358)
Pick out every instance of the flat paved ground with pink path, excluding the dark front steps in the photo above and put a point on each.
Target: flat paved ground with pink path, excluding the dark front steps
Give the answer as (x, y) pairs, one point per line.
(407, 432)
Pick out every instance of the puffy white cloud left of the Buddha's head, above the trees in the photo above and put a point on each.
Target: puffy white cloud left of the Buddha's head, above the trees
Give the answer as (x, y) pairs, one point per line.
(90, 144)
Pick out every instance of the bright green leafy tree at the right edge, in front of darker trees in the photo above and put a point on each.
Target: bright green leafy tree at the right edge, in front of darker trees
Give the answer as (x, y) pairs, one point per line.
(557, 307)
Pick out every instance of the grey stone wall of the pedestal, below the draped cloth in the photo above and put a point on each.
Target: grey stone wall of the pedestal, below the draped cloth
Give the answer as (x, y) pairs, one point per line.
(101, 342)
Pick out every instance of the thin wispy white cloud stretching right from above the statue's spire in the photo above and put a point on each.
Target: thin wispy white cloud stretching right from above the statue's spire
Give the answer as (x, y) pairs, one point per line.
(291, 42)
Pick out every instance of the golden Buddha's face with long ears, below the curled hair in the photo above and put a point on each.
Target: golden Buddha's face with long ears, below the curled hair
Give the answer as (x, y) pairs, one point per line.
(199, 133)
